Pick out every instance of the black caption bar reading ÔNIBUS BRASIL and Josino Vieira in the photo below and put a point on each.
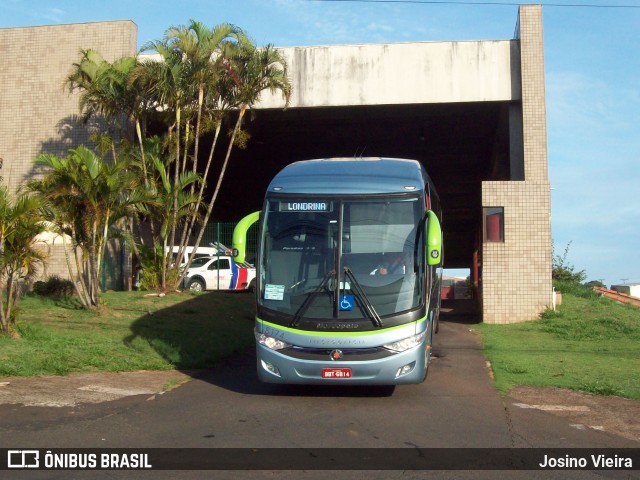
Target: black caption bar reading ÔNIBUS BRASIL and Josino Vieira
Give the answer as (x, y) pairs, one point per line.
(320, 459)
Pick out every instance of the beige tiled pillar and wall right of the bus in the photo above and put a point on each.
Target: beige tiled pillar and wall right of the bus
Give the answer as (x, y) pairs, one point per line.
(516, 273)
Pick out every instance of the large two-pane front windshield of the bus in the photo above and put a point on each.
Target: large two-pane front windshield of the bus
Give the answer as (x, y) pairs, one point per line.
(342, 258)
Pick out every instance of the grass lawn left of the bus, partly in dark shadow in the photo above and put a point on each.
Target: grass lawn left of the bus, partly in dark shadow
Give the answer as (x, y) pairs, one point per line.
(131, 332)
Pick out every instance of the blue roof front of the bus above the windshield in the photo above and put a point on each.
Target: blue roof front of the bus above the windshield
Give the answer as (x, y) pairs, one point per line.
(350, 176)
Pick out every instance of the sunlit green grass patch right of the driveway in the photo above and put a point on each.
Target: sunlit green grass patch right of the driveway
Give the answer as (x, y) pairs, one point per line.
(590, 343)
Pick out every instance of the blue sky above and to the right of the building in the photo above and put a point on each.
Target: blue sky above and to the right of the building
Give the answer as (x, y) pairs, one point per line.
(592, 62)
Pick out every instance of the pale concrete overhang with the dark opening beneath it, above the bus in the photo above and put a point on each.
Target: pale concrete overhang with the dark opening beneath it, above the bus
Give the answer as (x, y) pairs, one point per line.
(446, 104)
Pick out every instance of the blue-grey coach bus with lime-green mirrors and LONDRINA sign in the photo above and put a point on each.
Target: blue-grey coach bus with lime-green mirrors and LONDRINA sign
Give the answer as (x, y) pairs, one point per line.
(348, 272)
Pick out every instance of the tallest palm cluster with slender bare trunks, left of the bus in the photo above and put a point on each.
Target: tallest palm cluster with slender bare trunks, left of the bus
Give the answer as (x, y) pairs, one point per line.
(205, 75)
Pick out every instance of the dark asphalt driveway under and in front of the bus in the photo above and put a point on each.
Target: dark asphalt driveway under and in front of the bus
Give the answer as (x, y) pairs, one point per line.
(457, 407)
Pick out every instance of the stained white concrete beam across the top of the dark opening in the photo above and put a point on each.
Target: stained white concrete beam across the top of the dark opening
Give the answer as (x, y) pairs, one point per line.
(401, 73)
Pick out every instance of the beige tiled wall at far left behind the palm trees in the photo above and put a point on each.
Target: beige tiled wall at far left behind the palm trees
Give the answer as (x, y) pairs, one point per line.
(37, 115)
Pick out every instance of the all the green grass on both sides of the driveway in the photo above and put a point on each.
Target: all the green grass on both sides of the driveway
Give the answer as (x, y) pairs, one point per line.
(590, 344)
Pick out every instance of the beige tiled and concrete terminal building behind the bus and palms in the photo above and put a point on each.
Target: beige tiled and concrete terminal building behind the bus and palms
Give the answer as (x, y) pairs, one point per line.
(472, 112)
